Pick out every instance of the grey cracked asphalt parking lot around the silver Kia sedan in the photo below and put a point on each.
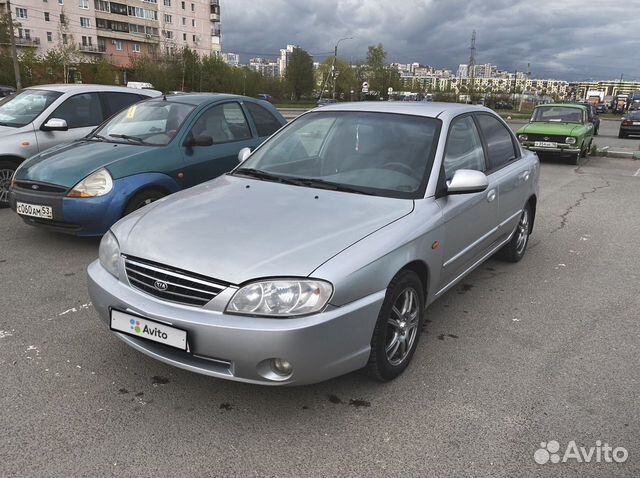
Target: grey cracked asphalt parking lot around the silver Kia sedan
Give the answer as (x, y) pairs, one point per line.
(546, 349)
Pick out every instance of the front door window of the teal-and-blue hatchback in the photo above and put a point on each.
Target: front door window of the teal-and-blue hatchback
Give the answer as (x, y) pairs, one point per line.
(223, 123)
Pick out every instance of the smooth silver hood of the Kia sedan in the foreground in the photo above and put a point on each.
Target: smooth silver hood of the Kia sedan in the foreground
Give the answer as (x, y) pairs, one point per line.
(235, 229)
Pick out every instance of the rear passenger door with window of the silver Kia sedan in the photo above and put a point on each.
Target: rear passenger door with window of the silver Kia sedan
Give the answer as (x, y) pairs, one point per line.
(511, 173)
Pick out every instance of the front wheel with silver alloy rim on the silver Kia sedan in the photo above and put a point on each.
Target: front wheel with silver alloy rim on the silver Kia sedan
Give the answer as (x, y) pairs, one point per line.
(393, 346)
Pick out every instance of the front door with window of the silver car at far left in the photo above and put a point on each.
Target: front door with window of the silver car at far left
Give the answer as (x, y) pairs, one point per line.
(82, 112)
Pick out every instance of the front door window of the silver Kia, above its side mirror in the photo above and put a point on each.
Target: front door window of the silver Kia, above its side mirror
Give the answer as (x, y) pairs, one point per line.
(464, 148)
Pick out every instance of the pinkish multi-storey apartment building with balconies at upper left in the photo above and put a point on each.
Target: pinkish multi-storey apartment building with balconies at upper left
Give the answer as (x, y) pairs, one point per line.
(117, 30)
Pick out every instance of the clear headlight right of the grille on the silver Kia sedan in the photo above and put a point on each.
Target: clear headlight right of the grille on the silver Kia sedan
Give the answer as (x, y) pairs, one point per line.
(281, 297)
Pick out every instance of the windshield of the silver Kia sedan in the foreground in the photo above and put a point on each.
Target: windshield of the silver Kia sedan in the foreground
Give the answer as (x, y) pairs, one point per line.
(371, 153)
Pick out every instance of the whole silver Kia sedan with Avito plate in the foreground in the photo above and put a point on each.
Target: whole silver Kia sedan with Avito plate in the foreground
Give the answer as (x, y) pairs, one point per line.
(320, 252)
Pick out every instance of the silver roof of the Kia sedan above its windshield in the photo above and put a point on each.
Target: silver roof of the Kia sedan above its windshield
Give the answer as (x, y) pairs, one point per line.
(417, 108)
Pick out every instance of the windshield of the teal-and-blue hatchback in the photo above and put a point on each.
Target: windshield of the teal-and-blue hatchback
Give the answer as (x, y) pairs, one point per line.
(154, 123)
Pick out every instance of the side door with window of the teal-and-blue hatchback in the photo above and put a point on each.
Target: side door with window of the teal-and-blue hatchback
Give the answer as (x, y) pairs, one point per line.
(226, 126)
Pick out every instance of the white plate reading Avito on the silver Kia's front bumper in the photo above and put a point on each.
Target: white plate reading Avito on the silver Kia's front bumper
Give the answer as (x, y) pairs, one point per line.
(148, 329)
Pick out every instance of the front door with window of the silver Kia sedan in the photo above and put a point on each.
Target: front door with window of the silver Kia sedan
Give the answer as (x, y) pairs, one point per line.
(470, 220)
